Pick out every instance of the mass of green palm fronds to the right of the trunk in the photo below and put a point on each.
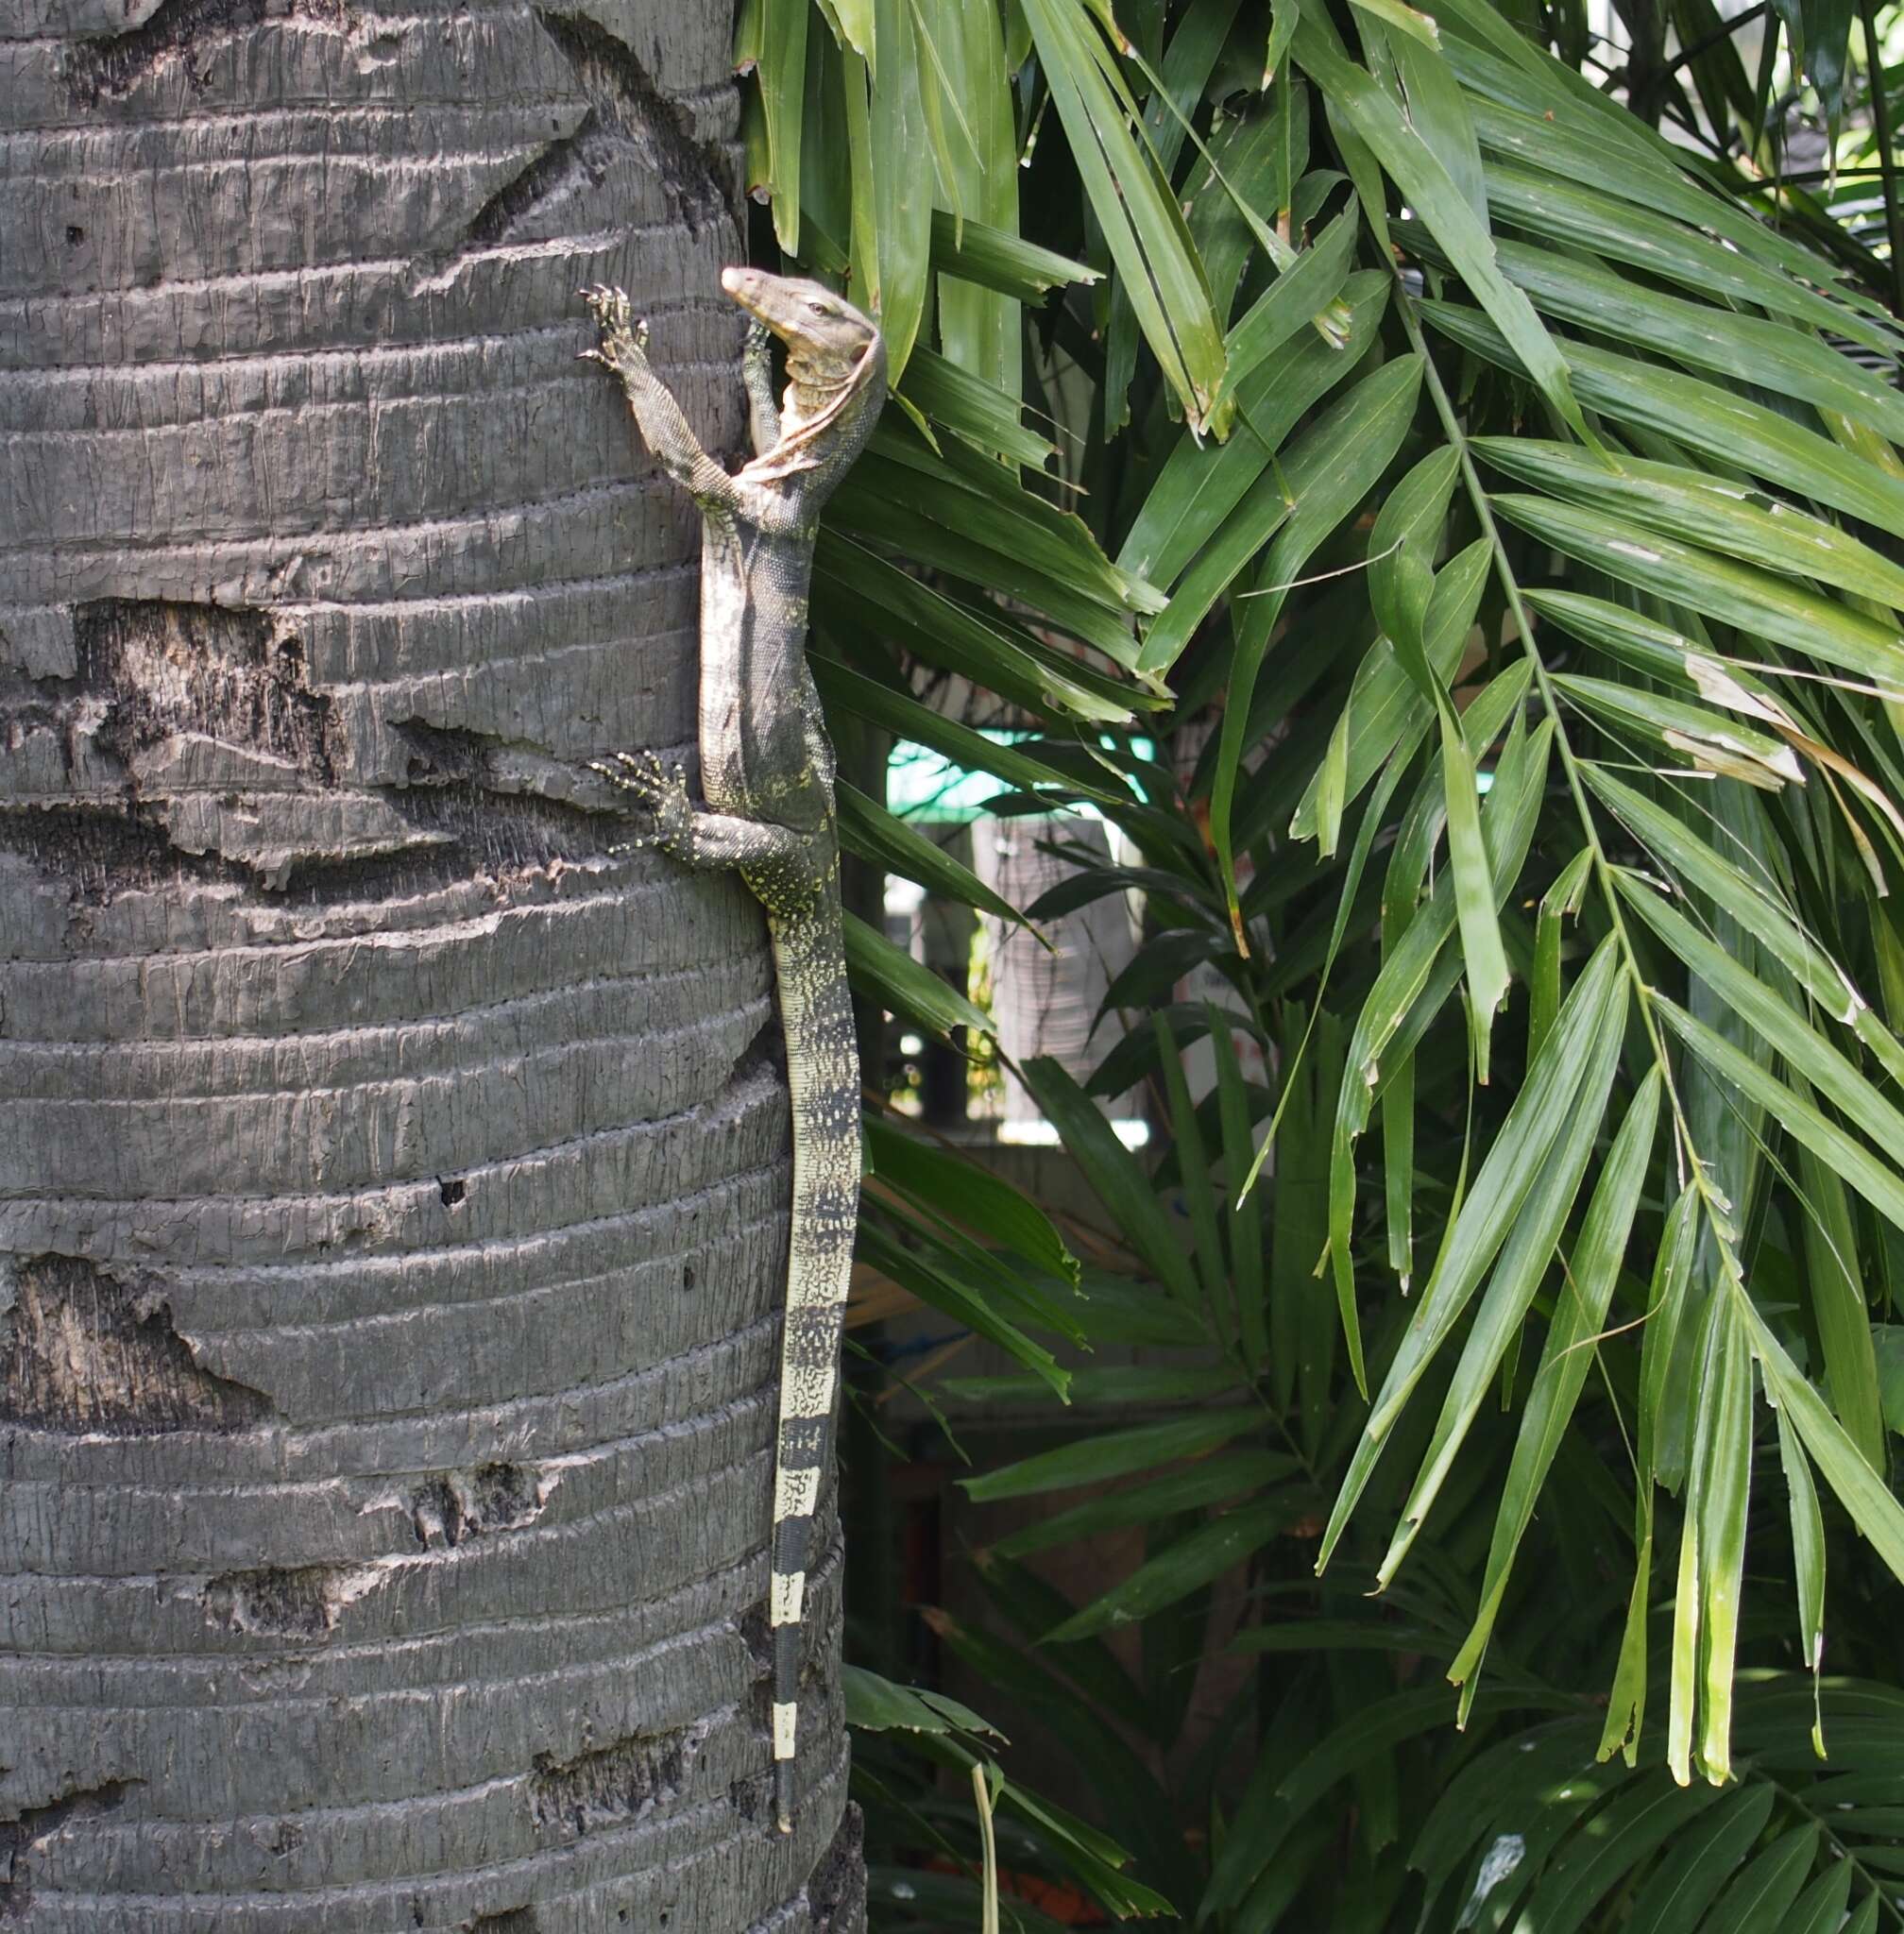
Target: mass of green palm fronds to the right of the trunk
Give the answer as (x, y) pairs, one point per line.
(1487, 510)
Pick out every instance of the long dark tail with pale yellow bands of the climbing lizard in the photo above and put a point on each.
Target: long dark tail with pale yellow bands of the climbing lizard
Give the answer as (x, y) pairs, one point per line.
(823, 1078)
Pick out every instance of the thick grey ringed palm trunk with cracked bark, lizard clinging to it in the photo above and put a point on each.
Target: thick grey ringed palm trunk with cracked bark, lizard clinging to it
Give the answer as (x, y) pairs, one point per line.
(392, 1177)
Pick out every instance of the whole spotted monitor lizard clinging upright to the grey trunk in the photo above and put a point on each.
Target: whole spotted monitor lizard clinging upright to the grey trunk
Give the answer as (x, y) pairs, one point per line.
(769, 778)
